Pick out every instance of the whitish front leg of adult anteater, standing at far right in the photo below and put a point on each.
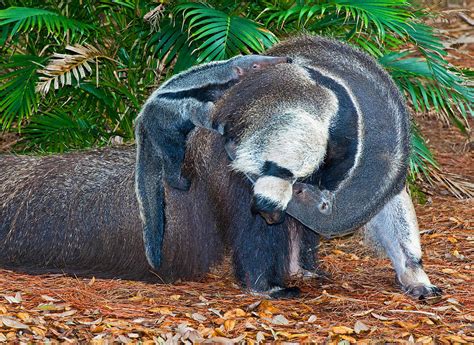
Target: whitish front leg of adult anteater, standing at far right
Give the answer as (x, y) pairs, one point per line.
(395, 229)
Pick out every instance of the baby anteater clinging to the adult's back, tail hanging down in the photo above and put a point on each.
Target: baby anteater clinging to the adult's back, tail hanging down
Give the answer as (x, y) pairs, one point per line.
(162, 128)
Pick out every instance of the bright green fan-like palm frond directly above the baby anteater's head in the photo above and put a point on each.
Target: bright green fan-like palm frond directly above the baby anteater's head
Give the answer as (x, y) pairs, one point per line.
(219, 36)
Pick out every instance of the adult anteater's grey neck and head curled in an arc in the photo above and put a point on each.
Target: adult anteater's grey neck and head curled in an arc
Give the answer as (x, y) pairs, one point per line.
(383, 143)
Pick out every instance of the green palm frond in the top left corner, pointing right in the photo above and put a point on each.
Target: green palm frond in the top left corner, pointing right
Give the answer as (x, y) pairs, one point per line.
(22, 19)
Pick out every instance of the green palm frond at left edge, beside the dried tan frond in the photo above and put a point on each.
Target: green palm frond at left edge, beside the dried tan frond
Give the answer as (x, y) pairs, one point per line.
(18, 99)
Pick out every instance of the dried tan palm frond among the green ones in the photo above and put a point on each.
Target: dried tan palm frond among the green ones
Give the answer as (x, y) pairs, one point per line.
(63, 67)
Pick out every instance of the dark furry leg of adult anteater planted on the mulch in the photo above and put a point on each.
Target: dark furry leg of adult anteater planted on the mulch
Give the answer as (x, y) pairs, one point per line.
(261, 258)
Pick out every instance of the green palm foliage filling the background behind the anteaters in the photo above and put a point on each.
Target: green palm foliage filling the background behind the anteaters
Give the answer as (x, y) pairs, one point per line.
(74, 74)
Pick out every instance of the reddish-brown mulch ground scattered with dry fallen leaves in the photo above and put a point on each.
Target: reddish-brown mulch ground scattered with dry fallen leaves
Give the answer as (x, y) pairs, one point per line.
(359, 303)
